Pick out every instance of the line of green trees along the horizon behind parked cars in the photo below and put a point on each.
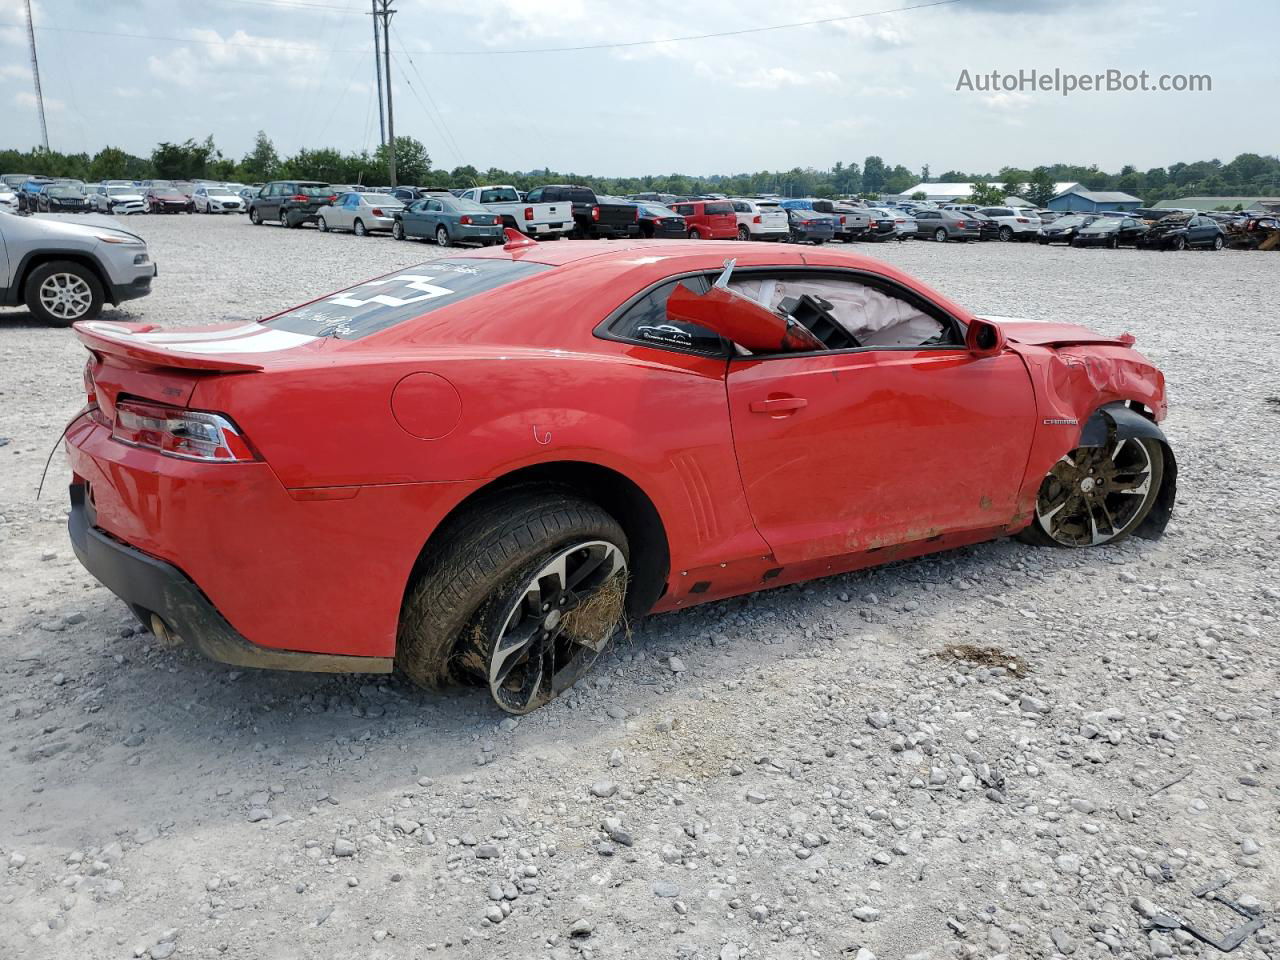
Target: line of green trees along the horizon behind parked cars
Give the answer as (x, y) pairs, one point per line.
(1246, 176)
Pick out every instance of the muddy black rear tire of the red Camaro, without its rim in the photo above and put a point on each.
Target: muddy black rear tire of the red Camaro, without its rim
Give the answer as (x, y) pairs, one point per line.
(486, 555)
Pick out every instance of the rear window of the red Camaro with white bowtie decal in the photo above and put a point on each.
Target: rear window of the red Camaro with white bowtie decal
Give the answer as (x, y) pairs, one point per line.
(378, 305)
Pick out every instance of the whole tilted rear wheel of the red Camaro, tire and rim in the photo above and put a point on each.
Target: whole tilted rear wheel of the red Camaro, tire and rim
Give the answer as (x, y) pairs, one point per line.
(524, 597)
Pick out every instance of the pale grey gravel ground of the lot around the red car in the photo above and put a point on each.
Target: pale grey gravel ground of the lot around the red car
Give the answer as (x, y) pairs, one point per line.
(799, 774)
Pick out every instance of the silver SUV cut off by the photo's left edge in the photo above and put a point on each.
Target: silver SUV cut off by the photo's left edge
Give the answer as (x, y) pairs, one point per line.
(66, 271)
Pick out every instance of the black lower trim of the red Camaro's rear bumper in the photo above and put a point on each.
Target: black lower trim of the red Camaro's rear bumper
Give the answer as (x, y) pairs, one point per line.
(154, 588)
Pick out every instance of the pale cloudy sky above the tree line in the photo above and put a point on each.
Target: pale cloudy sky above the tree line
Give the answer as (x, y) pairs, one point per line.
(303, 71)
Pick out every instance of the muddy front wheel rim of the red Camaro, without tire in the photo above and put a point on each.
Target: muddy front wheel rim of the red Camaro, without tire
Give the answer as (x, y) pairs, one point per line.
(1094, 495)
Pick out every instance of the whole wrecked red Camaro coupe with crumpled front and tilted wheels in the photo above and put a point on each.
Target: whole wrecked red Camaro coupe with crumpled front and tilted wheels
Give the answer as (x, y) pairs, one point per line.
(476, 469)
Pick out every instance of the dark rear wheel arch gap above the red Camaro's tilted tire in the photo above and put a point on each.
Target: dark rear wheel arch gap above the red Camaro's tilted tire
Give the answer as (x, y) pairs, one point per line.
(615, 492)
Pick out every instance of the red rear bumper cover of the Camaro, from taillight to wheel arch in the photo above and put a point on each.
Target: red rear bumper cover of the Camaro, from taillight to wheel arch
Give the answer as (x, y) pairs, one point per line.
(287, 572)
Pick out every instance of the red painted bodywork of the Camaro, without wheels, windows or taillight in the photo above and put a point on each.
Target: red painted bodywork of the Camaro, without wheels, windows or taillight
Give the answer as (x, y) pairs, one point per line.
(793, 467)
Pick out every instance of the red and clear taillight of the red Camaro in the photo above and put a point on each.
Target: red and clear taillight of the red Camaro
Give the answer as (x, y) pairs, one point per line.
(175, 432)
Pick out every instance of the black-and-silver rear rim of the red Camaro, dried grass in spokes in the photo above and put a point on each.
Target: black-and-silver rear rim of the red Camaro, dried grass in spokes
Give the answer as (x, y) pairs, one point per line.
(557, 625)
